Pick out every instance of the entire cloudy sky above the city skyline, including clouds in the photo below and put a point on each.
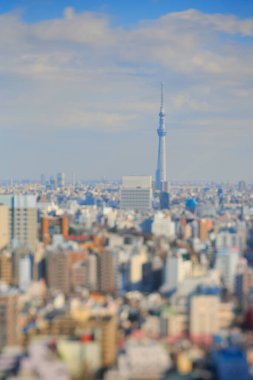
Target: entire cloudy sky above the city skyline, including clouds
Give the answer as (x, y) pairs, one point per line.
(79, 83)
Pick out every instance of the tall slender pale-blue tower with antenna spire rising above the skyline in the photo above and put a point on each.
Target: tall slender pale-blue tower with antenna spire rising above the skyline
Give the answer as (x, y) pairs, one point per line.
(161, 175)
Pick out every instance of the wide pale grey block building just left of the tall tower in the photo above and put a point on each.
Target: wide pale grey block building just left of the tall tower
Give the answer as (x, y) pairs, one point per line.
(136, 193)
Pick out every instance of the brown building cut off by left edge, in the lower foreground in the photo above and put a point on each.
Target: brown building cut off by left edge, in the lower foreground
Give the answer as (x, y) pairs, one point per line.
(8, 318)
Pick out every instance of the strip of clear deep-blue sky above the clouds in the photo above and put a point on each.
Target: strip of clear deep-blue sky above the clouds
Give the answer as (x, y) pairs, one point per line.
(124, 12)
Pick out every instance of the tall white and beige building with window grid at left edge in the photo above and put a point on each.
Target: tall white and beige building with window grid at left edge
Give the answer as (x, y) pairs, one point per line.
(22, 219)
